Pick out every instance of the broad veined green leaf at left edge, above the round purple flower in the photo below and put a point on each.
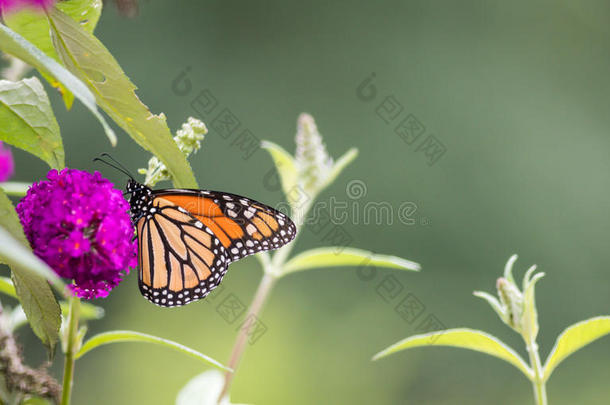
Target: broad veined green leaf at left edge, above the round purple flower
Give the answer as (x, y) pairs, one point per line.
(28, 121)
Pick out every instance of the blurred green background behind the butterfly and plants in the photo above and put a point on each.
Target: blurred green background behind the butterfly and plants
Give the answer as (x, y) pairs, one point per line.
(517, 92)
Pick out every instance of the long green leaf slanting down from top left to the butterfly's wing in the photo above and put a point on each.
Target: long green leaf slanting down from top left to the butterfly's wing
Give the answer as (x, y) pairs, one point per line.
(86, 56)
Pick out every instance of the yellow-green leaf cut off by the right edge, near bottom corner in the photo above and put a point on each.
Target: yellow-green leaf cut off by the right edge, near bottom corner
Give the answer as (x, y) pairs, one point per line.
(574, 338)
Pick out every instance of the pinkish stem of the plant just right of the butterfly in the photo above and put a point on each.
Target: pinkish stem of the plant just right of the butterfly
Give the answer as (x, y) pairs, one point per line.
(262, 293)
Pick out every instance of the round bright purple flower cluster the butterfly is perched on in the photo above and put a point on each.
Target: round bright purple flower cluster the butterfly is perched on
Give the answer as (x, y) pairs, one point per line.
(79, 224)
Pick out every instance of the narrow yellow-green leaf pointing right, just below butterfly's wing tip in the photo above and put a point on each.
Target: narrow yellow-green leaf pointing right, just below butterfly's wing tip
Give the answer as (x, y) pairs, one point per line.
(336, 257)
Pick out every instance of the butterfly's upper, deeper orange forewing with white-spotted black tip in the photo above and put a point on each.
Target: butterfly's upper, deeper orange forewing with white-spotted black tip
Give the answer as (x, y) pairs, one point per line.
(243, 226)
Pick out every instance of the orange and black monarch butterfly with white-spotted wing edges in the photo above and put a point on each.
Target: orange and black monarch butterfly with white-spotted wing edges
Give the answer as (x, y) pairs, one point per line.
(187, 238)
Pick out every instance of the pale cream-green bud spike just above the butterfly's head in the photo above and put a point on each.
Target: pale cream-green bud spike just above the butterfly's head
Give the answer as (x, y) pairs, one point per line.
(188, 138)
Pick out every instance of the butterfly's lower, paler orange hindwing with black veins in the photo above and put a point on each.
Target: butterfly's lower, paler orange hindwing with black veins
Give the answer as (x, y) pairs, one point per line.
(180, 259)
